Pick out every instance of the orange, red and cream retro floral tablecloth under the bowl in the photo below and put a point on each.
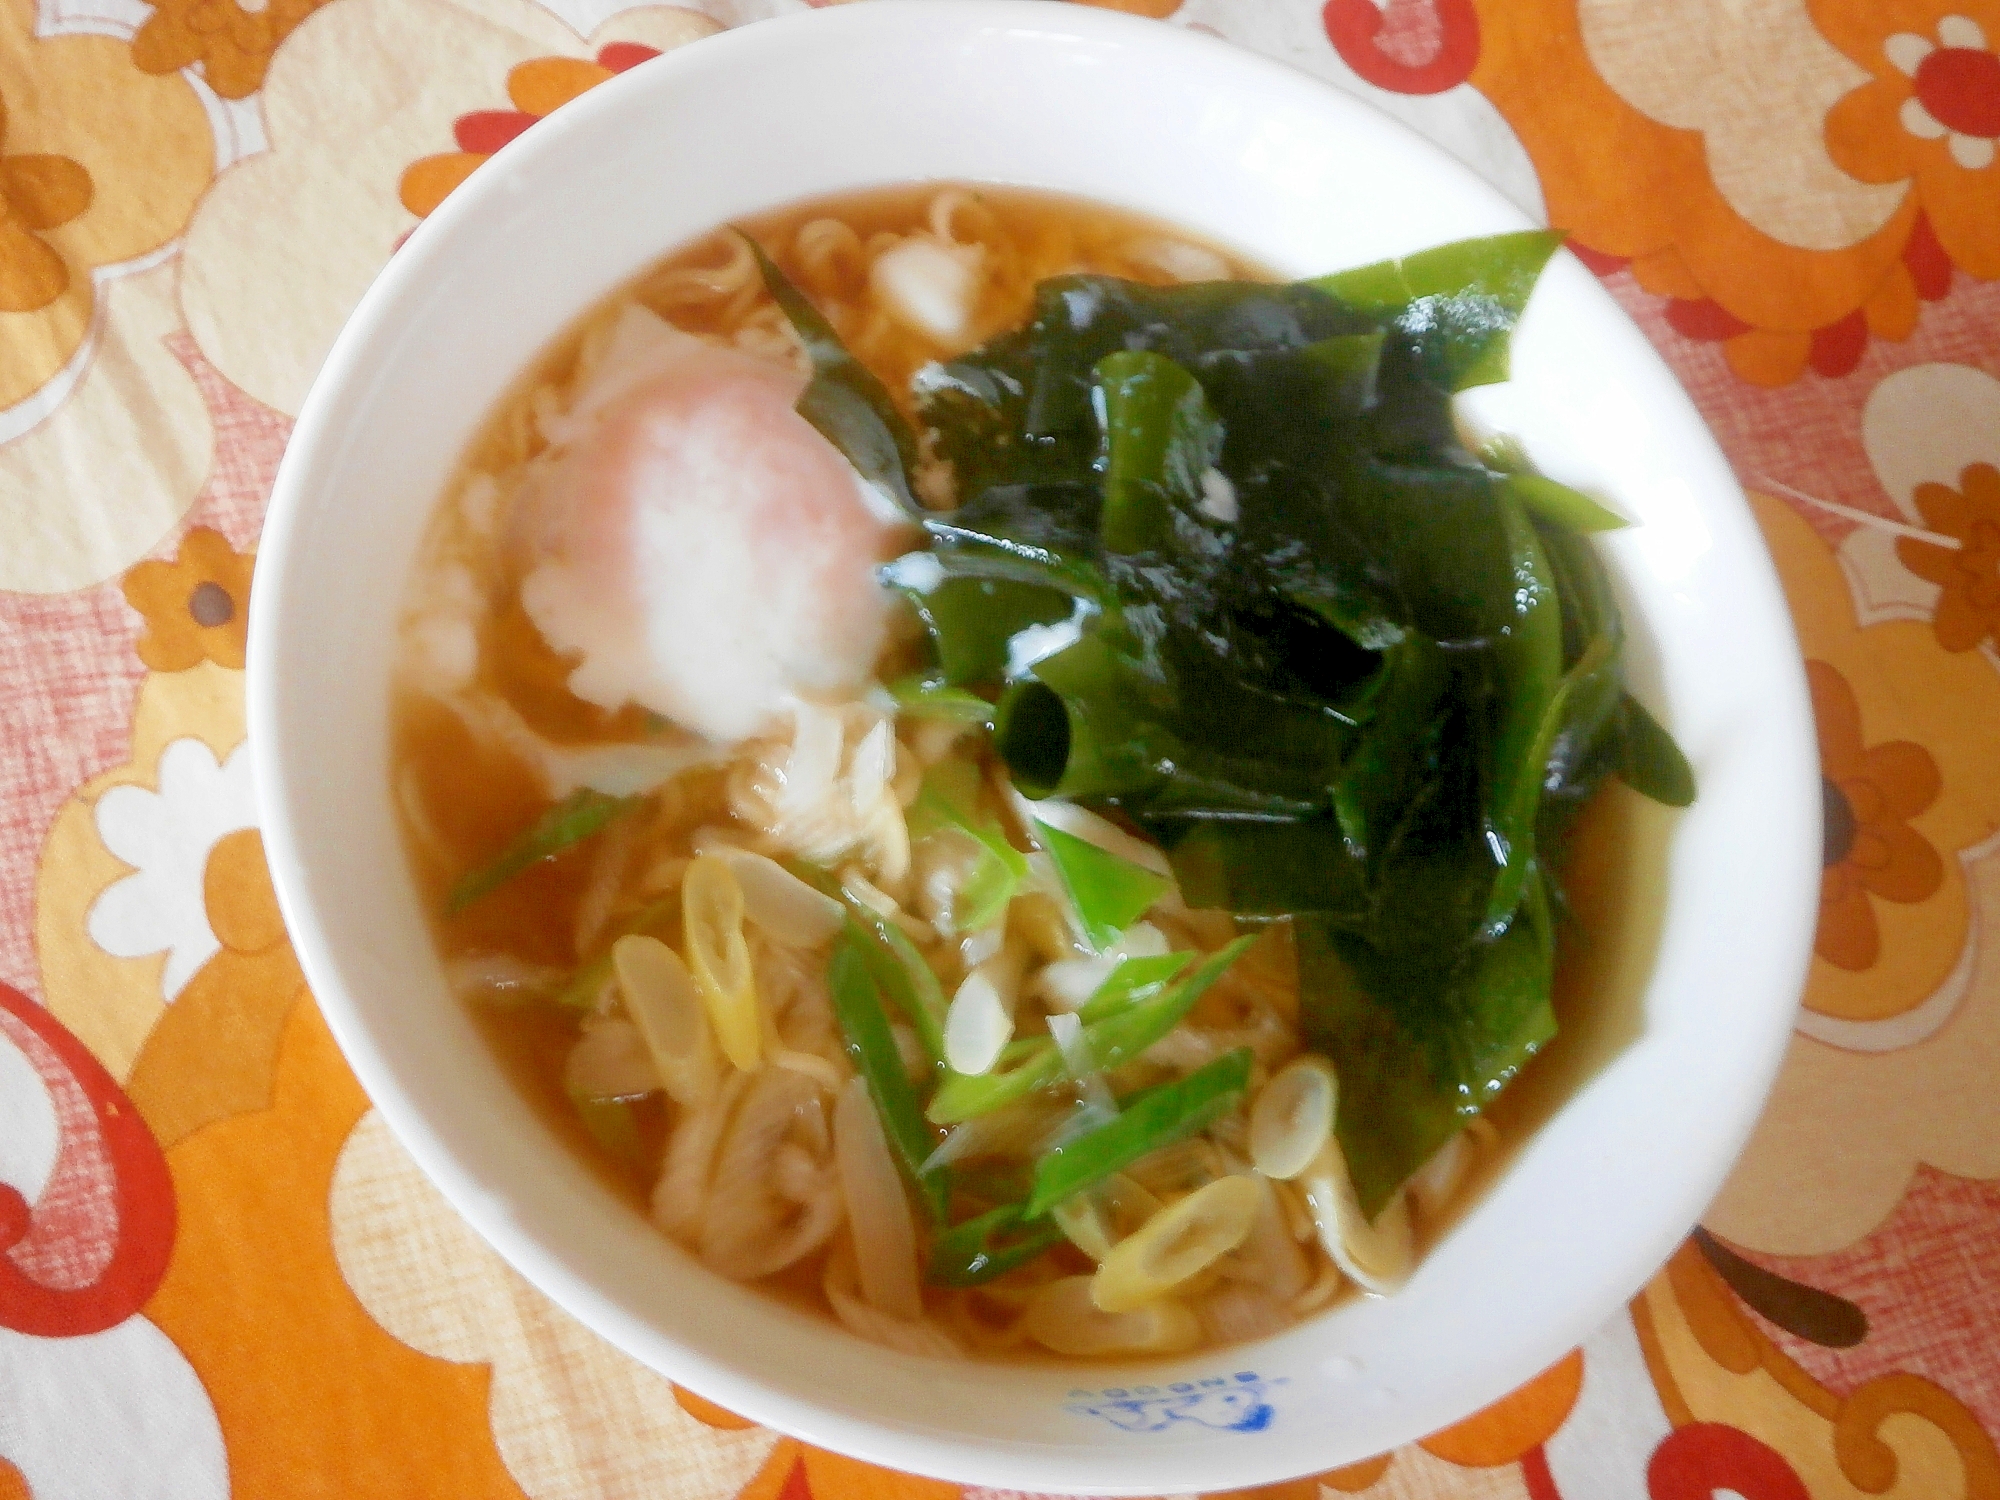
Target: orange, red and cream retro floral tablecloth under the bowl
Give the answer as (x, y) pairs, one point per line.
(219, 1275)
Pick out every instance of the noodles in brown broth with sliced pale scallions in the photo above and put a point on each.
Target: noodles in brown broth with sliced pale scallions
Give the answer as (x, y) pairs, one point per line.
(663, 989)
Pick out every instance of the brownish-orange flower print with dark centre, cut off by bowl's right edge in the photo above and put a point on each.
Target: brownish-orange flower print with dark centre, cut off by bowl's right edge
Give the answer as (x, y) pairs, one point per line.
(1871, 851)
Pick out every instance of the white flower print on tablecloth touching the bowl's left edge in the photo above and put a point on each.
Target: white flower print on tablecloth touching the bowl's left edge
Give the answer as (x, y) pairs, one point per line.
(167, 839)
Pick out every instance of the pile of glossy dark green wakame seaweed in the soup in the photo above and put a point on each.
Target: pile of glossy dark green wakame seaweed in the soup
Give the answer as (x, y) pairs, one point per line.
(1227, 573)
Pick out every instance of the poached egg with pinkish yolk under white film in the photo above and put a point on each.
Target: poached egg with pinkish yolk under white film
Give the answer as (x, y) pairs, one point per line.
(705, 553)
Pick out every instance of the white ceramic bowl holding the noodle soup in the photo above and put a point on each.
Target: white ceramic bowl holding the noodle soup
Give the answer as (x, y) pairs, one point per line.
(1307, 181)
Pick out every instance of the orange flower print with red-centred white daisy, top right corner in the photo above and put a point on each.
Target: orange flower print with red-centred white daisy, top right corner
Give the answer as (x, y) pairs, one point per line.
(1929, 117)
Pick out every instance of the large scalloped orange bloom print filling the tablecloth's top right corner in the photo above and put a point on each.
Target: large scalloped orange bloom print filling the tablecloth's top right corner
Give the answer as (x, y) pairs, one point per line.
(1643, 191)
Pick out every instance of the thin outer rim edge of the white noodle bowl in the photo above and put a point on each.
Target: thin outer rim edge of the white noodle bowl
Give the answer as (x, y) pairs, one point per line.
(317, 443)
